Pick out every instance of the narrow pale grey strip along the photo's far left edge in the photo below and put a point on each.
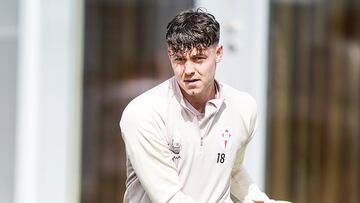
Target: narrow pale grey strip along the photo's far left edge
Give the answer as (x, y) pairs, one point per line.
(8, 71)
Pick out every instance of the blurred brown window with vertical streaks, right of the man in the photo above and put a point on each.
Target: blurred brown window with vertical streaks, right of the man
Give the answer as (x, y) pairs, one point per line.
(314, 97)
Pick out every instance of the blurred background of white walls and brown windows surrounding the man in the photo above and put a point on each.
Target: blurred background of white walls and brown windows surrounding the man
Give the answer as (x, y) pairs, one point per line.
(68, 68)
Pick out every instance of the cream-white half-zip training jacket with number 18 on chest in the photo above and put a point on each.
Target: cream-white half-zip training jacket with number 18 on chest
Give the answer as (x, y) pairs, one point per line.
(176, 154)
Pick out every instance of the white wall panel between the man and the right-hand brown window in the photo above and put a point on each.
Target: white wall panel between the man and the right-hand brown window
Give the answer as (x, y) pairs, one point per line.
(244, 33)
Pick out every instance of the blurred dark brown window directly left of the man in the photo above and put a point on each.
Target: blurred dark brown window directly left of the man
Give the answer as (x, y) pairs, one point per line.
(125, 54)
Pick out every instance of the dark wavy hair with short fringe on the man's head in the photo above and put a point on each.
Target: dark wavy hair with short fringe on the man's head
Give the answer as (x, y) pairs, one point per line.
(192, 29)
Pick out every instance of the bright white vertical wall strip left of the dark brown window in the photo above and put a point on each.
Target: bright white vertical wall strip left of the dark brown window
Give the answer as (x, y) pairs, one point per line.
(47, 167)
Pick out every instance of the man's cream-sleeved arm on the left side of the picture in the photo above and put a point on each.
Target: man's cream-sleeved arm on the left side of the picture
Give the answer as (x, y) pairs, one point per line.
(143, 132)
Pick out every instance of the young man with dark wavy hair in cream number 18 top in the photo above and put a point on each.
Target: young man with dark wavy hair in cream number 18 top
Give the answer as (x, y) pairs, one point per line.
(185, 138)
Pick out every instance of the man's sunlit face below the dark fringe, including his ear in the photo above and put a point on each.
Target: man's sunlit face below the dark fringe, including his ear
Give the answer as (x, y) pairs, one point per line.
(194, 70)
